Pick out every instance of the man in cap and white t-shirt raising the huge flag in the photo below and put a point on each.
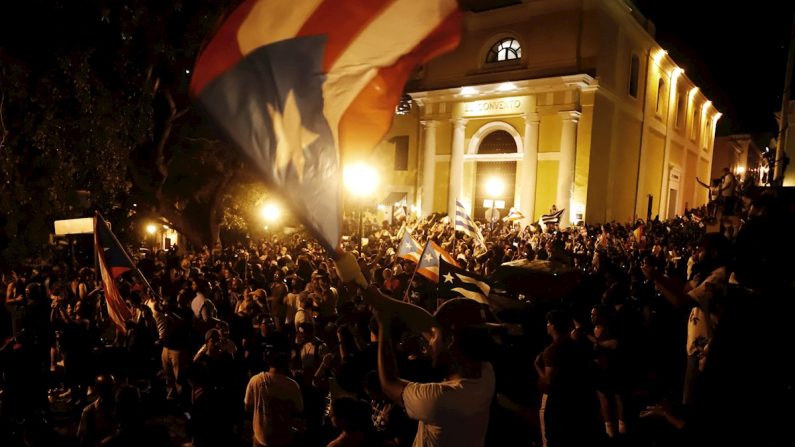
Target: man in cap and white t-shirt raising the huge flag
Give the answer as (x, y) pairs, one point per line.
(455, 411)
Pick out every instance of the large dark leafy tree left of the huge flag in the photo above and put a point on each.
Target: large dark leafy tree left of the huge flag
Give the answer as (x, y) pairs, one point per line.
(95, 99)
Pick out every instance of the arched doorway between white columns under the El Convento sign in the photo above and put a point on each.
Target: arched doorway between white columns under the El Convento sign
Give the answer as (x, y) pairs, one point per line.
(495, 143)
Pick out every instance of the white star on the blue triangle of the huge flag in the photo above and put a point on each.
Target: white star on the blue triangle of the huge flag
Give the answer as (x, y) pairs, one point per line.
(291, 136)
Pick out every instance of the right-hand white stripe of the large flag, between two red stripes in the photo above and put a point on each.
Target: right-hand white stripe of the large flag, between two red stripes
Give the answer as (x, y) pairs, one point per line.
(406, 23)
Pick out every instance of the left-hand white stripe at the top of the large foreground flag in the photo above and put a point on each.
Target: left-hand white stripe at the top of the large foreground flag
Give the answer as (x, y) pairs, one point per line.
(270, 22)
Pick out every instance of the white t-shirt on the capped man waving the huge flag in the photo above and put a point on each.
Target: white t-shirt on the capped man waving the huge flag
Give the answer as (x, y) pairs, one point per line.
(451, 413)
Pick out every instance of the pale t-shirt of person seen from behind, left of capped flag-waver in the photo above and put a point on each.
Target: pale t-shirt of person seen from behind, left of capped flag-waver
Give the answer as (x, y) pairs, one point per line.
(275, 399)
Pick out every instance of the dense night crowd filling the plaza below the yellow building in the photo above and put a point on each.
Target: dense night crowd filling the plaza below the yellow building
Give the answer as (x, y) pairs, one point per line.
(670, 335)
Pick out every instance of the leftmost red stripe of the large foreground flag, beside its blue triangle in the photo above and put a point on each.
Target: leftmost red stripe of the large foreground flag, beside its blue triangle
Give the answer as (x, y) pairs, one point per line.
(223, 52)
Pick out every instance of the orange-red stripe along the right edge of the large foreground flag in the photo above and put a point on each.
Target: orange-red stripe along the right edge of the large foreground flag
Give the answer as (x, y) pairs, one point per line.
(369, 116)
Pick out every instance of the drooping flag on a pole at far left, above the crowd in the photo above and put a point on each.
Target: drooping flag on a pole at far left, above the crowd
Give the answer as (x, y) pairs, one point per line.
(113, 262)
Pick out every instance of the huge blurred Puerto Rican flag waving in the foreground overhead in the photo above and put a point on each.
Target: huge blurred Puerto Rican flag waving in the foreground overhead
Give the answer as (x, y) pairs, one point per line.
(291, 82)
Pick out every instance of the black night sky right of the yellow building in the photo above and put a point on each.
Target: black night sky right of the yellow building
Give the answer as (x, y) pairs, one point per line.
(734, 51)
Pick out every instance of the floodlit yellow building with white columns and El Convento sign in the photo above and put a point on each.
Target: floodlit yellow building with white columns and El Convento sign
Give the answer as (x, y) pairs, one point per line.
(569, 102)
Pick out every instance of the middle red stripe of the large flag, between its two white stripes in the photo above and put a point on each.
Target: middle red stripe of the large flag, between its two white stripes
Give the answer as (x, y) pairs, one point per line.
(341, 21)
